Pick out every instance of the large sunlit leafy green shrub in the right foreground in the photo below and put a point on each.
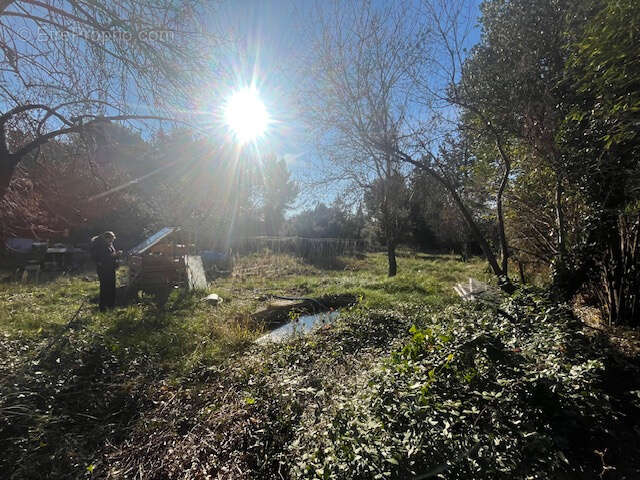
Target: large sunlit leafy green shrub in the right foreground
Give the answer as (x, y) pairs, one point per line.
(472, 393)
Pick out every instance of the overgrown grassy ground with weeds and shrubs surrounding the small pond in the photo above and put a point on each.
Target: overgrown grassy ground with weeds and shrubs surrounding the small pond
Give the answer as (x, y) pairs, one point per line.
(410, 383)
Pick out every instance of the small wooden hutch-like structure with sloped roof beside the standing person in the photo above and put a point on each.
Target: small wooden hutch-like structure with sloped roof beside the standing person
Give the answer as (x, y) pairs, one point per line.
(163, 260)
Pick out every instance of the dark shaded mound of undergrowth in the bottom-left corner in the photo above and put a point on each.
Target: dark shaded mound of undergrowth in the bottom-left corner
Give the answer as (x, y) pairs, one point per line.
(56, 412)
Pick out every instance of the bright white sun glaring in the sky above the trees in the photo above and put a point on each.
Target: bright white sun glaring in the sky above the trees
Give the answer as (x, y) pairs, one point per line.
(246, 115)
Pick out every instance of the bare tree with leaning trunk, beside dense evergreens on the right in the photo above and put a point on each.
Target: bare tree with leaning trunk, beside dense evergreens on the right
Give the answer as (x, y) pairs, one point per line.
(383, 78)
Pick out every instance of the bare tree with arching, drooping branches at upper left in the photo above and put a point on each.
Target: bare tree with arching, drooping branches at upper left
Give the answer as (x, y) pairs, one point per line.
(70, 65)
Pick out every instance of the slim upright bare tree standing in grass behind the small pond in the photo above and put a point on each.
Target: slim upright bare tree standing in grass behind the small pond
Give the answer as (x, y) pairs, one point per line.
(356, 106)
